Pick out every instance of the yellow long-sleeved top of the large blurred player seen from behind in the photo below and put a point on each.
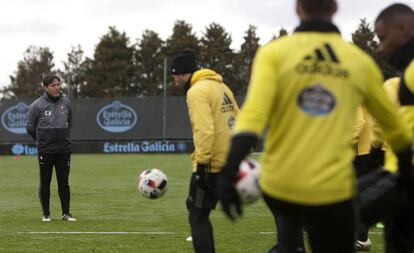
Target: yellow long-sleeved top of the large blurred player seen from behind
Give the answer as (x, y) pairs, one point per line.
(305, 90)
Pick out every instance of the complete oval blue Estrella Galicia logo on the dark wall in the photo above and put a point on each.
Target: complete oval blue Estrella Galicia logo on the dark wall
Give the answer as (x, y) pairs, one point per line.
(116, 117)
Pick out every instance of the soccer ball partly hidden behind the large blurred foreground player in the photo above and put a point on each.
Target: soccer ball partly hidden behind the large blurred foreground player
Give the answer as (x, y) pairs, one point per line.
(247, 184)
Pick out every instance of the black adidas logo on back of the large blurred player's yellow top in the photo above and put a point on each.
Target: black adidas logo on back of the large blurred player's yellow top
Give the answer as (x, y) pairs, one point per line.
(323, 61)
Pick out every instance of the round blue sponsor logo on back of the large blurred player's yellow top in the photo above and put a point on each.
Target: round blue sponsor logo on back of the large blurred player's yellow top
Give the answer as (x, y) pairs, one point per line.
(316, 100)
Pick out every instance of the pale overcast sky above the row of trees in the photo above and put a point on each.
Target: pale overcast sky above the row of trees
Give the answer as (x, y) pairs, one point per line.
(59, 25)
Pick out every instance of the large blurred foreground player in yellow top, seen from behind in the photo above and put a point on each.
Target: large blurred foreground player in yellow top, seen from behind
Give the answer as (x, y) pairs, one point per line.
(305, 89)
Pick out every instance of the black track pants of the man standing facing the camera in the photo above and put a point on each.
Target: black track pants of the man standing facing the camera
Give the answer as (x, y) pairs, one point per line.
(61, 162)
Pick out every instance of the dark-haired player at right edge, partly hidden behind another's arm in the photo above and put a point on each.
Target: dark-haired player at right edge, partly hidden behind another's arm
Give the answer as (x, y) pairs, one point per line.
(395, 29)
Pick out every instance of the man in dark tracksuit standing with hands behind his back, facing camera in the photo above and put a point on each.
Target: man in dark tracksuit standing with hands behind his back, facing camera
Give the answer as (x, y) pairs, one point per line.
(49, 120)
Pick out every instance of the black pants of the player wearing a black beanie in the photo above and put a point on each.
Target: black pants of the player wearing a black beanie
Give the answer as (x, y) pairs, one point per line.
(200, 202)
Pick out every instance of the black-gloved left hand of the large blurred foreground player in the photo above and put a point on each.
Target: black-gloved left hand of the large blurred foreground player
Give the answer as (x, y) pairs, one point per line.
(227, 191)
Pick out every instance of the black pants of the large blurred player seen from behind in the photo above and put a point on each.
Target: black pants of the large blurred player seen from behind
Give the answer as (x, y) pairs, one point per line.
(329, 226)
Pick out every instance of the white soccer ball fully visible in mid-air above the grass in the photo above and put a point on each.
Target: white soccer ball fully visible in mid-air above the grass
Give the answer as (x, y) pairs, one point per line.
(152, 183)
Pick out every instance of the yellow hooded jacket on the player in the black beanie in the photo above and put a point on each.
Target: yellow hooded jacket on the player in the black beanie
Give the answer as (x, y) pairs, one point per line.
(212, 110)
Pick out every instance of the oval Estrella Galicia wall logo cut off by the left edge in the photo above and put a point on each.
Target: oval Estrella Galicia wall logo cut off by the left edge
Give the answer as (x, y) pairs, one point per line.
(14, 118)
